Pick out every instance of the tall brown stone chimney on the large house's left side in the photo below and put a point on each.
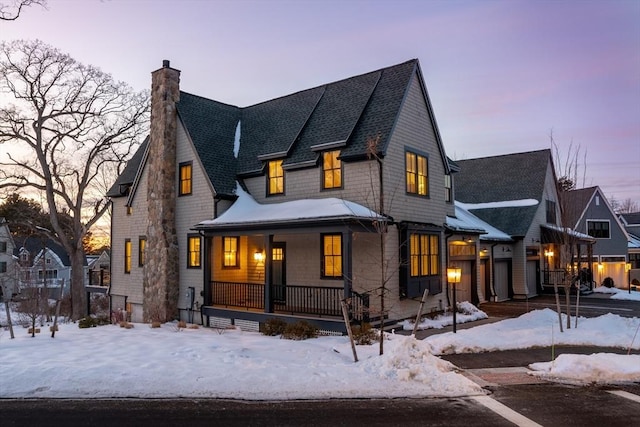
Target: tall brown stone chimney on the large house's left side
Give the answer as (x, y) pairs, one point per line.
(161, 270)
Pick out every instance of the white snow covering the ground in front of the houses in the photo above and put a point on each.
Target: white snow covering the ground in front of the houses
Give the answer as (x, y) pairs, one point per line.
(110, 361)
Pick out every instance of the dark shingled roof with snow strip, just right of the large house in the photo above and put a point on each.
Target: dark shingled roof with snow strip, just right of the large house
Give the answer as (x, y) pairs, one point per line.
(511, 177)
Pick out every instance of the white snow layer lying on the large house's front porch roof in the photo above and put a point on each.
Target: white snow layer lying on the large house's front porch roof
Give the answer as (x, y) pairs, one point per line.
(246, 210)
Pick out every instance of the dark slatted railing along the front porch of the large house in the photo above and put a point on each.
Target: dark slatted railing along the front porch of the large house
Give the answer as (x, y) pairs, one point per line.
(320, 301)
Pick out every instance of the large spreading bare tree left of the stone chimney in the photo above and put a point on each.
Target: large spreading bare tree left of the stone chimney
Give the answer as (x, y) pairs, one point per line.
(65, 124)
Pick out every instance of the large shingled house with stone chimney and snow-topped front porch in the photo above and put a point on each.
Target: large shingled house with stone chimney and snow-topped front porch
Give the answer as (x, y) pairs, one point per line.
(287, 207)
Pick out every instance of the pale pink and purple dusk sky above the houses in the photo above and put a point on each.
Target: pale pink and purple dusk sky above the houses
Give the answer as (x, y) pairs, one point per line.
(502, 75)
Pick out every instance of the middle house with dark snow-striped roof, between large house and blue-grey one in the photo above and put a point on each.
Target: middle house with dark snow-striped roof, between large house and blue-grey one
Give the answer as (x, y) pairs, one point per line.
(516, 194)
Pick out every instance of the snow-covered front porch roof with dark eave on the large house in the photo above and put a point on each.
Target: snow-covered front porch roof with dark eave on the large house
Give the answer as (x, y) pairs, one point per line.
(247, 213)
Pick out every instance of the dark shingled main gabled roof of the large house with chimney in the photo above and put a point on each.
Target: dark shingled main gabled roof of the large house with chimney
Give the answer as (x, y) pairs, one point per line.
(344, 115)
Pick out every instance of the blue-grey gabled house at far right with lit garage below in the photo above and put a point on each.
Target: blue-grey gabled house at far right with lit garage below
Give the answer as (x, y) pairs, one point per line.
(589, 212)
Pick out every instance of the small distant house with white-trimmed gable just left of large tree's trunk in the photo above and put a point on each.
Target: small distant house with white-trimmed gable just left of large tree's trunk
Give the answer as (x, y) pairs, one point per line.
(35, 255)
